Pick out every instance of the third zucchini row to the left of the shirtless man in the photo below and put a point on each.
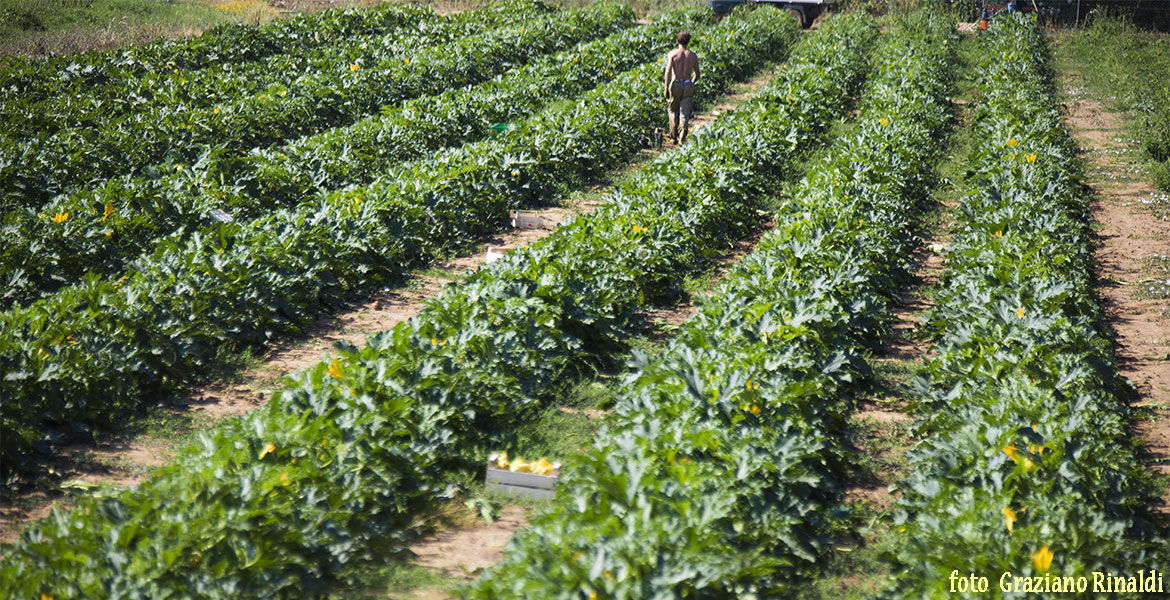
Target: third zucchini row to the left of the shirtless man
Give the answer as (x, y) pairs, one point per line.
(39, 165)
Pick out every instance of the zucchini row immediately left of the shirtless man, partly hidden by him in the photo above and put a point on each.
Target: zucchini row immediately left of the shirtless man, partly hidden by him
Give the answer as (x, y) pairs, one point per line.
(94, 350)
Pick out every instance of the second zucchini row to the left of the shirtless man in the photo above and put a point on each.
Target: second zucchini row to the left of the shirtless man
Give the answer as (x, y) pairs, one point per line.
(113, 225)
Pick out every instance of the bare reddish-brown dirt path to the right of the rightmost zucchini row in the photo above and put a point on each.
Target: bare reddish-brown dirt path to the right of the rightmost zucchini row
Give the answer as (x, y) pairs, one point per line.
(1131, 239)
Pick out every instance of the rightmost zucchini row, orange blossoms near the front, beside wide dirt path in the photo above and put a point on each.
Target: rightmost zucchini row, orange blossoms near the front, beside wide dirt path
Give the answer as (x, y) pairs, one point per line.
(1028, 468)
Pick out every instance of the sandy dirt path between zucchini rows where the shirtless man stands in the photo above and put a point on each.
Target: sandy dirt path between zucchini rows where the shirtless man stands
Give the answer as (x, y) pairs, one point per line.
(120, 461)
